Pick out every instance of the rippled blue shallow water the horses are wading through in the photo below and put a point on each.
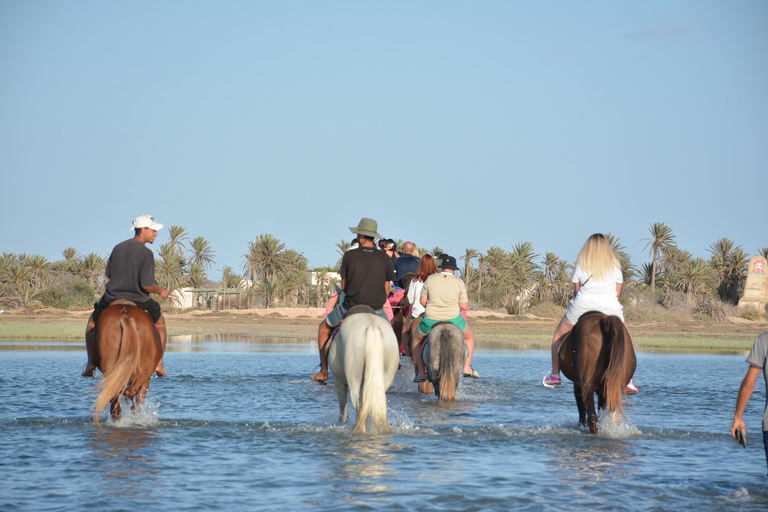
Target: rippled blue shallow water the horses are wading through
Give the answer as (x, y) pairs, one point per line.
(239, 426)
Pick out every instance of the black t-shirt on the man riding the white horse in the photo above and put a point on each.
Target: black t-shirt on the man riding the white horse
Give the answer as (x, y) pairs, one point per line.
(367, 271)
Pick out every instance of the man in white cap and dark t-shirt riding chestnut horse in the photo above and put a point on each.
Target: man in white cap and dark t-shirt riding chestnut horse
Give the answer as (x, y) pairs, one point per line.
(131, 274)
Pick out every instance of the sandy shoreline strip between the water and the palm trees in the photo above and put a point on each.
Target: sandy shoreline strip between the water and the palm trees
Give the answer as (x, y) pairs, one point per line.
(491, 329)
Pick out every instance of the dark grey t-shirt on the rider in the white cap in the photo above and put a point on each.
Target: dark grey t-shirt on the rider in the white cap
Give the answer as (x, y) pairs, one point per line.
(131, 268)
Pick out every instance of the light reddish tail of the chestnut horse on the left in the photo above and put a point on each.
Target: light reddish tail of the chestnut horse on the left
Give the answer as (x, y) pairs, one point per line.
(124, 369)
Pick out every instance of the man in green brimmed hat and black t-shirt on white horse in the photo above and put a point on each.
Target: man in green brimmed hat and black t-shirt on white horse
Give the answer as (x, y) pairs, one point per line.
(366, 274)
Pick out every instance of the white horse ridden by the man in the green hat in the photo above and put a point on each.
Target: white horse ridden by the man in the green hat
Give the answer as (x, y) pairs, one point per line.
(363, 358)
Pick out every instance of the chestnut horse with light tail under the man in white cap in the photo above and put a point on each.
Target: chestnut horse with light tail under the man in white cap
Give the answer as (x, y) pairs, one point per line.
(128, 349)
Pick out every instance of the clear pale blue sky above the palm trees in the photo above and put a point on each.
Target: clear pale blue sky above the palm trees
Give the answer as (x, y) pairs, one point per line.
(458, 124)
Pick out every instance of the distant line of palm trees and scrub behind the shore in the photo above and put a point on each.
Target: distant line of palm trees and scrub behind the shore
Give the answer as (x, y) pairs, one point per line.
(273, 275)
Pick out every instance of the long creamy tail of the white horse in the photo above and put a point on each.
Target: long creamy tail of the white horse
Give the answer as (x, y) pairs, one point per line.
(373, 401)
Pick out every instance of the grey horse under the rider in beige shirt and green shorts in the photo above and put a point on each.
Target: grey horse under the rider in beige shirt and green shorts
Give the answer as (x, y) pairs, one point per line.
(444, 354)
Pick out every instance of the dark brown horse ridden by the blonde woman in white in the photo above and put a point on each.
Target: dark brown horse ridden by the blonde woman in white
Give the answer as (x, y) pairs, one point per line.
(598, 357)
